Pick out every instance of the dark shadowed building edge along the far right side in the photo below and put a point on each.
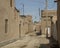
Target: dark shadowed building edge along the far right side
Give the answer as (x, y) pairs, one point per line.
(58, 21)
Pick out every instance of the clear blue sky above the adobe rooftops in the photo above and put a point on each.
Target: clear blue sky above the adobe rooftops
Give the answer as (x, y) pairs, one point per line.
(31, 7)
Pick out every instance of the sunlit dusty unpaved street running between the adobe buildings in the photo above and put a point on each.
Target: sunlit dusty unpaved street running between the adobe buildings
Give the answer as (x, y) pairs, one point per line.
(29, 42)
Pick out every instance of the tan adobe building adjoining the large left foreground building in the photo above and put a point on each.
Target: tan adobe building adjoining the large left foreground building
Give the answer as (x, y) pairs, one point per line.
(23, 26)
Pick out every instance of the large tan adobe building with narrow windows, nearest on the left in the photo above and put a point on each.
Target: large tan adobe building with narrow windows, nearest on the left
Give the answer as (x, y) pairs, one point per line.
(9, 27)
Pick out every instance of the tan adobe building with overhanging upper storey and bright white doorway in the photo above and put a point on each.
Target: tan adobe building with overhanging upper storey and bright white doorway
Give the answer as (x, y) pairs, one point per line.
(46, 21)
